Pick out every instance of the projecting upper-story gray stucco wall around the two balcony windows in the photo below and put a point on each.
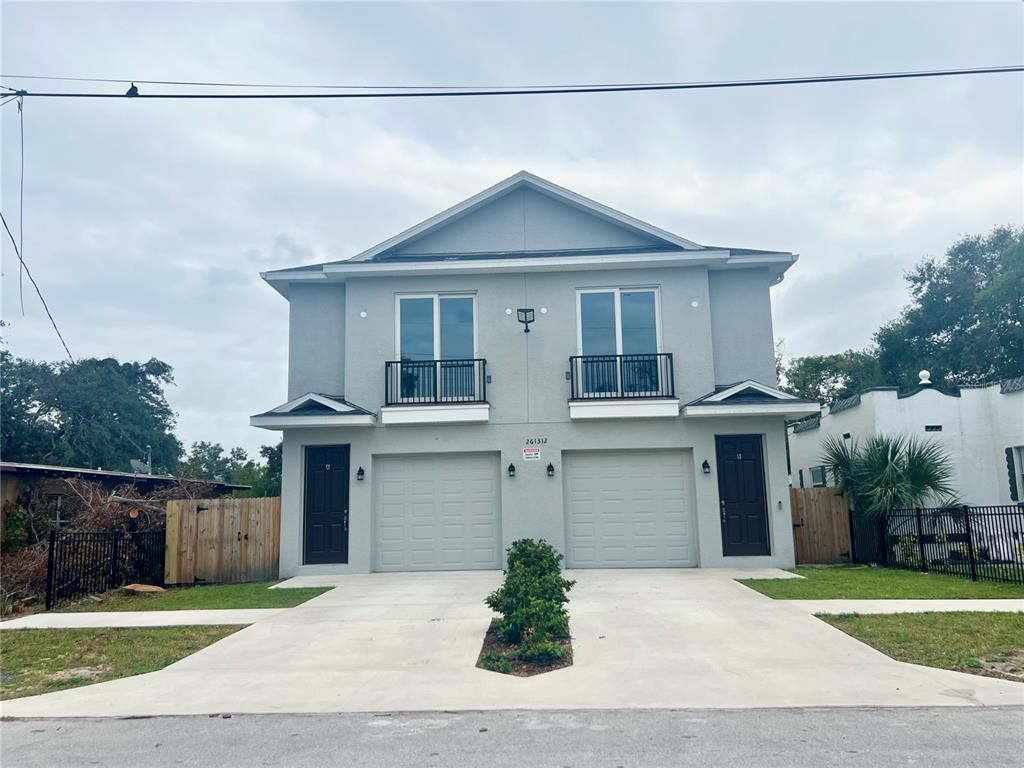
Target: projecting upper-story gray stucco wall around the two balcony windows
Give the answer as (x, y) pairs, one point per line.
(529, 370)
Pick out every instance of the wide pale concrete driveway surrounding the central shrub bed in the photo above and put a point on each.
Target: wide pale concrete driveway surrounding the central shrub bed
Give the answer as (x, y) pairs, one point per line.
(643, 638)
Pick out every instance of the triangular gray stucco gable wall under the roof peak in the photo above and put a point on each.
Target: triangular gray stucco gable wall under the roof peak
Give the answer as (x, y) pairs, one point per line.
(525, 221)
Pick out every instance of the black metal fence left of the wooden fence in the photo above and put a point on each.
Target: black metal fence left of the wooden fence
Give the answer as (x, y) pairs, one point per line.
(86, 564)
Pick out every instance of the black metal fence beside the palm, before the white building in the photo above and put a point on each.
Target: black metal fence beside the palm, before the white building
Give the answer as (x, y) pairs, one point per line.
(976, 543)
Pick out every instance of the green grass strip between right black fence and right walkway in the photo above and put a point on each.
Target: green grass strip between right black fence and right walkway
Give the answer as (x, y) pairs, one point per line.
(866, 583)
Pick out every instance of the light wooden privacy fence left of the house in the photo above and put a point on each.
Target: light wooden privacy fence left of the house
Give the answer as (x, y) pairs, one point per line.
(223, 540)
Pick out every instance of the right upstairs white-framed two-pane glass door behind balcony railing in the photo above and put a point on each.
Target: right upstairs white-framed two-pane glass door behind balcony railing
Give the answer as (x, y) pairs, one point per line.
(619, 344)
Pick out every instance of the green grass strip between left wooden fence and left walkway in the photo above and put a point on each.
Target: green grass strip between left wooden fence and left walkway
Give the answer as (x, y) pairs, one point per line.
(202, 596)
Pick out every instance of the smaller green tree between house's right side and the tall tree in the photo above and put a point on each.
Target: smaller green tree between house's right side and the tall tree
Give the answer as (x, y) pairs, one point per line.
(827, 378)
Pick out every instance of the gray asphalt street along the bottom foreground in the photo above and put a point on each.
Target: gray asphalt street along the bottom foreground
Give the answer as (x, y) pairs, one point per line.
(989, 738)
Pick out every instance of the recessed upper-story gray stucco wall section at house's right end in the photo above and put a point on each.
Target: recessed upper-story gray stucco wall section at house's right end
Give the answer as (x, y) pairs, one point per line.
(741, 321)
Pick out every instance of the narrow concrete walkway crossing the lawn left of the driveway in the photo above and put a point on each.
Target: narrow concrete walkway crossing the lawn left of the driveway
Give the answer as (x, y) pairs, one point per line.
(141, 619)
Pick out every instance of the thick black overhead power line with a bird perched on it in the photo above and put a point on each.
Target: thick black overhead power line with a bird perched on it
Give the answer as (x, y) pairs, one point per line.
(440, 92)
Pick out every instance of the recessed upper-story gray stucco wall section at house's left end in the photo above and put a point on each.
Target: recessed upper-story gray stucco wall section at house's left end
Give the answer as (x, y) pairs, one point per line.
(317, 339)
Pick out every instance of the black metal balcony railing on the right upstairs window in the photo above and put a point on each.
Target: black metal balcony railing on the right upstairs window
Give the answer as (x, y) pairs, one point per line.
(596, 377)
